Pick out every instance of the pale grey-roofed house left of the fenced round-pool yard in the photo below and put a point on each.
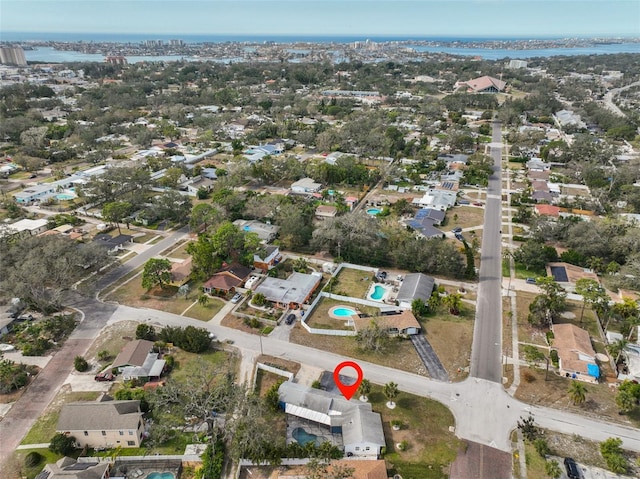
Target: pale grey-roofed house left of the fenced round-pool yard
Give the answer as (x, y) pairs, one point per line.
(292, 292)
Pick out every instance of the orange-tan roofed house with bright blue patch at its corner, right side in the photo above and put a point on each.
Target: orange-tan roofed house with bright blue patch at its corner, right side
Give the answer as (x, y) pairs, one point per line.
(577, 359)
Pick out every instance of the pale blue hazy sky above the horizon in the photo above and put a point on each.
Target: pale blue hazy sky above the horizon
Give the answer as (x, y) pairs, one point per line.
(423, 18)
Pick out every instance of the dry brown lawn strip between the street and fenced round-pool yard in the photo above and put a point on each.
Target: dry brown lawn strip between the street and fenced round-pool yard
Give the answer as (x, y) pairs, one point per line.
(400, 354)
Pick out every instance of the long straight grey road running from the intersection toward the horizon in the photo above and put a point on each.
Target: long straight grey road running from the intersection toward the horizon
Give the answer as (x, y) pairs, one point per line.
(486, 351)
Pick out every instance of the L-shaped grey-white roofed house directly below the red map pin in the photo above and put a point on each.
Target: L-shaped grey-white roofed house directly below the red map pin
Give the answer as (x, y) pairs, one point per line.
(360, 427)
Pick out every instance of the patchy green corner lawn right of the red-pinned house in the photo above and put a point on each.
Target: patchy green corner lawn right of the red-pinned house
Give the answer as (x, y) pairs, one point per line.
(431, 447)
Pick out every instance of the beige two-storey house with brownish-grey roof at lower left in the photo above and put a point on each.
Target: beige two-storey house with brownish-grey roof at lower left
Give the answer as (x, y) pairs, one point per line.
(102, 424)
